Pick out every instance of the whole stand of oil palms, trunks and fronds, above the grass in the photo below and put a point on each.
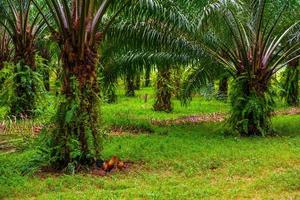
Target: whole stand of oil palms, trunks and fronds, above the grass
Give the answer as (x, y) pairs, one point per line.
(89, 45)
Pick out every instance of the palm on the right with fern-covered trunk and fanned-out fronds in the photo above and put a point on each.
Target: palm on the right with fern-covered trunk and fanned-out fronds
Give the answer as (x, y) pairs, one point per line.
(254, 52)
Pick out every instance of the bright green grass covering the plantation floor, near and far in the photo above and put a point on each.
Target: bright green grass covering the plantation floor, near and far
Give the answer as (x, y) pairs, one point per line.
(175, 162)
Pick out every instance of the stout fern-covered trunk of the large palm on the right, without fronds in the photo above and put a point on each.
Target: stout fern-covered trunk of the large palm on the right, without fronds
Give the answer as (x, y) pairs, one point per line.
(251, 109)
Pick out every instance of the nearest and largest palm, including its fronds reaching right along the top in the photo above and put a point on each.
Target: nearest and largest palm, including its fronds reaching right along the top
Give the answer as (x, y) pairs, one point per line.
(80, 27)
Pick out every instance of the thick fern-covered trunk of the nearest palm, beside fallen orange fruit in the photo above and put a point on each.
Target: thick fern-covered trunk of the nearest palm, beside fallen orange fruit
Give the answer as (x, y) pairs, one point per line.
(76, 138)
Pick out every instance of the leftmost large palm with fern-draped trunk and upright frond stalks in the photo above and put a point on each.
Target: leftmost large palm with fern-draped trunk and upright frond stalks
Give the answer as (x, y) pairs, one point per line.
(23, 25)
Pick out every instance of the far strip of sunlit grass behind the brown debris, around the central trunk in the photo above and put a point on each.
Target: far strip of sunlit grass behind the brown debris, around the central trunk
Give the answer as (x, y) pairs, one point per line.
(137, 109)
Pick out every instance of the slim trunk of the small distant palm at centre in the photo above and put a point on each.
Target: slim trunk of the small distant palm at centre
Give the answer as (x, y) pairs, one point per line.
(163, 91)
